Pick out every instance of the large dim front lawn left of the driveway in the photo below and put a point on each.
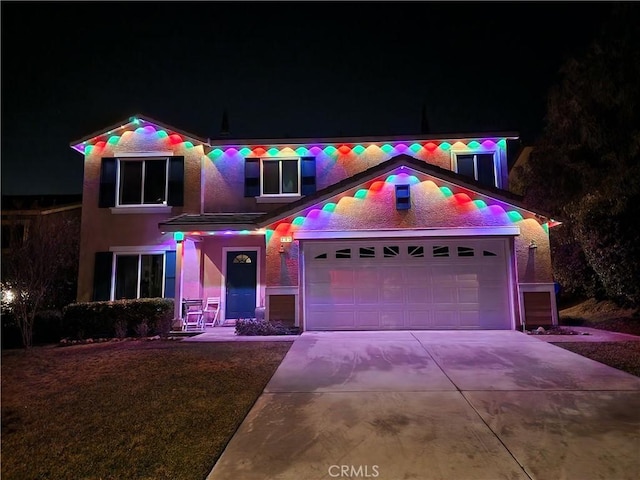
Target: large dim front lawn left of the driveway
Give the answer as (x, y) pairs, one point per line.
(135, 410)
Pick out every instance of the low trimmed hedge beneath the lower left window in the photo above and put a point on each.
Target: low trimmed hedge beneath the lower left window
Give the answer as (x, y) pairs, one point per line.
(120, 318)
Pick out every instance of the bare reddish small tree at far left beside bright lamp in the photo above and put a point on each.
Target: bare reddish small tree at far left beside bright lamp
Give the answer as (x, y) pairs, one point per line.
(40, 270)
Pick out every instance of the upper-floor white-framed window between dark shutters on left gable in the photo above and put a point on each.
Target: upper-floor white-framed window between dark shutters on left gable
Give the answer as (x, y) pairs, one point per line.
(142, 181)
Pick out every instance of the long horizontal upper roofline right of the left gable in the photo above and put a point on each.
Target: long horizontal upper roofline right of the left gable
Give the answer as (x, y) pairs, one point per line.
(511, 135)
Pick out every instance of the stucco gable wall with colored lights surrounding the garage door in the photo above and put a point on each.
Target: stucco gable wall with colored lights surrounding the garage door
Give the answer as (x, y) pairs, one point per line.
(430, 208)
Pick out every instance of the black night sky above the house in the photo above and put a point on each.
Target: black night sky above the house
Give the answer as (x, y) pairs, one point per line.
(297, 69)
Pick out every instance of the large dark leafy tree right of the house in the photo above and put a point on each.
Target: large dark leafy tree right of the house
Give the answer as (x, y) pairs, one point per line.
(585, 167)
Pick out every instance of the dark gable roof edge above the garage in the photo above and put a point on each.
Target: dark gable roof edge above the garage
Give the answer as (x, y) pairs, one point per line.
(421, 166)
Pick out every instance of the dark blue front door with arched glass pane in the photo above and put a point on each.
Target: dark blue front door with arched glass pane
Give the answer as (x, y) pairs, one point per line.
(241, 284)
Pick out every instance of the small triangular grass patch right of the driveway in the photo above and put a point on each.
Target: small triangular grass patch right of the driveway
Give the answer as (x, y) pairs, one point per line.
(624, 356)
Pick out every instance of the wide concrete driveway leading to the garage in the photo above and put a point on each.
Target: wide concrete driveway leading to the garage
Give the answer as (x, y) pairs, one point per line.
(438, 405)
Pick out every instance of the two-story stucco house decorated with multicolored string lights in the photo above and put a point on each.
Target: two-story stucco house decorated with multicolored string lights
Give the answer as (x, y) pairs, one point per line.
(403, 232)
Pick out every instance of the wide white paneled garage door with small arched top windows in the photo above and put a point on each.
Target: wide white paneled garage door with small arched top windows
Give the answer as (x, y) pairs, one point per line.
(453, 283)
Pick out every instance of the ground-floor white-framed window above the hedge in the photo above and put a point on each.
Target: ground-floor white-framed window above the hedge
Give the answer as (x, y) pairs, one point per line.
(138, 275)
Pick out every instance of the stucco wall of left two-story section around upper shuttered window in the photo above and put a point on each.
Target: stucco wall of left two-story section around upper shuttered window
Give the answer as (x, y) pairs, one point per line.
(102, 229)
